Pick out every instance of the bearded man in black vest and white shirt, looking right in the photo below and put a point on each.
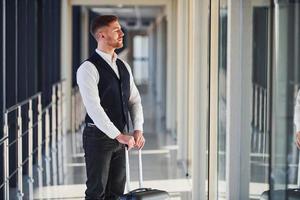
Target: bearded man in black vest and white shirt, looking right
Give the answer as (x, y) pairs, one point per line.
(108, 91)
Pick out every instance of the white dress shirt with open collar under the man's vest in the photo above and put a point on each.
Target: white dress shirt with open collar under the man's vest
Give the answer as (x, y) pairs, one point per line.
(88, 79)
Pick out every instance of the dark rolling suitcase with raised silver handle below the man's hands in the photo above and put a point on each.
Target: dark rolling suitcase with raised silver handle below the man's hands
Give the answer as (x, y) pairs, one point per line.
(141, 193)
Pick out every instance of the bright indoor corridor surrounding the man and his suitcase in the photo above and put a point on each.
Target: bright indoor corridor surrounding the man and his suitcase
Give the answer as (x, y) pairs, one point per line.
(218, 81)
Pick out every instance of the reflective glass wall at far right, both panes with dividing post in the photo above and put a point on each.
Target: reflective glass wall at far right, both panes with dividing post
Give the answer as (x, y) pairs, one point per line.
(275, 80)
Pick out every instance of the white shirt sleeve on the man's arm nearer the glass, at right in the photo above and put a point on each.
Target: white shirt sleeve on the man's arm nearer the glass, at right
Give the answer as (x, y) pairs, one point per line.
(135, 103)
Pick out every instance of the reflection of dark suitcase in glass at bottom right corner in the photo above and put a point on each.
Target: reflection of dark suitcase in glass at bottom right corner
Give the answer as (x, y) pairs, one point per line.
(290, 194)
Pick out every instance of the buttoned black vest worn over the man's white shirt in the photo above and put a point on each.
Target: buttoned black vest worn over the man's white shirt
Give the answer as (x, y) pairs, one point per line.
(114, 92)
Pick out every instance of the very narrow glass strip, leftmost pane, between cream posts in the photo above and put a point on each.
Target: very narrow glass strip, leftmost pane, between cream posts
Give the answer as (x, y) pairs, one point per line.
(222, 100)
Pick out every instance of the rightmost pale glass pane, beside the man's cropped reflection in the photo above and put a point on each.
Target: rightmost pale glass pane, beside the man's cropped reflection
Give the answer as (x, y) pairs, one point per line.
(285, 156)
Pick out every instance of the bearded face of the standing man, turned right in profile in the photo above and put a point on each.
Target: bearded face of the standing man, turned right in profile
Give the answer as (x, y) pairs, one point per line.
(112, 35)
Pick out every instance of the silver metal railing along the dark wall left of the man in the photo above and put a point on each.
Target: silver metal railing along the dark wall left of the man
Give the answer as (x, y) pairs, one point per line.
(55, 136)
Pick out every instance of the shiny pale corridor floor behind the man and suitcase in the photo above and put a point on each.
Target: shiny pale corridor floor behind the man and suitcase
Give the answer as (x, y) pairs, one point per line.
(160, 167)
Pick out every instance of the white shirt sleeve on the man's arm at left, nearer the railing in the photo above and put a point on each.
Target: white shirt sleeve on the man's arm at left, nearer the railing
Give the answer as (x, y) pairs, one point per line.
(87, 80)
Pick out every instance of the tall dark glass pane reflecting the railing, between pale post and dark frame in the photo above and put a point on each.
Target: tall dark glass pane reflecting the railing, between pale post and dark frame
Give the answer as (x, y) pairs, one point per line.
(259, 152)
